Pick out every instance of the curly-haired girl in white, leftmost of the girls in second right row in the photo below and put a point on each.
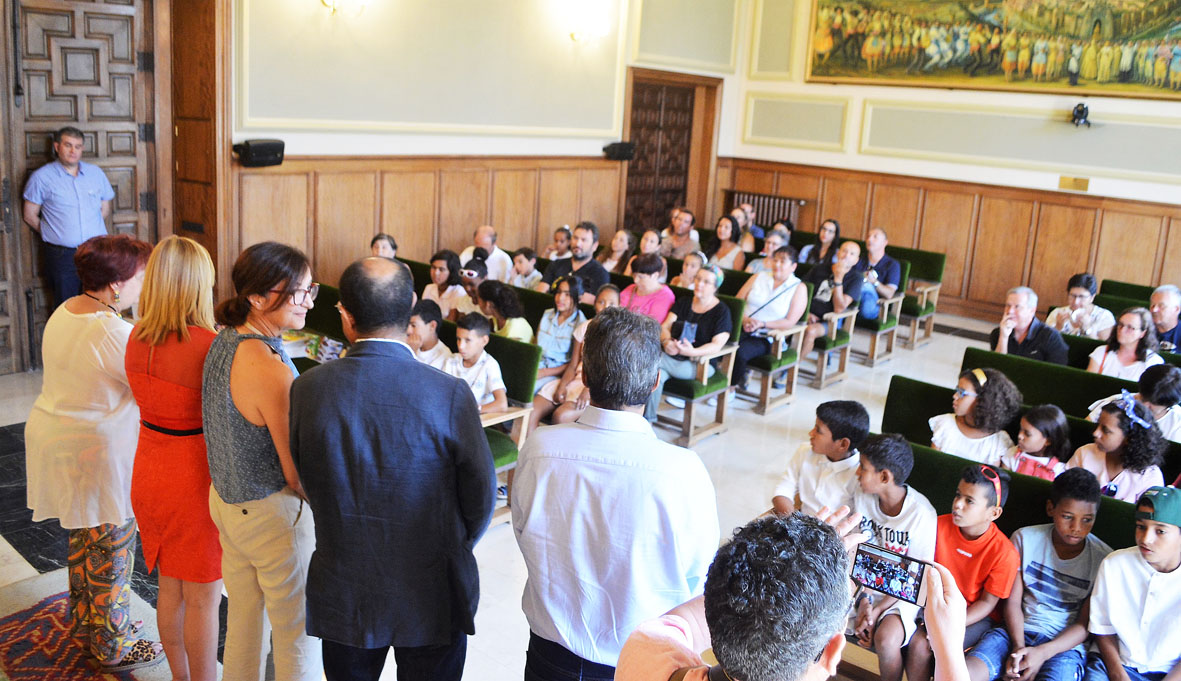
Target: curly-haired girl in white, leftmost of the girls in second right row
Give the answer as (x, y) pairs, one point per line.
(986, 401)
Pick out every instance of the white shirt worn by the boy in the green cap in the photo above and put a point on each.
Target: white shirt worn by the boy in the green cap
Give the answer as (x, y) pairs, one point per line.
(1139, 606)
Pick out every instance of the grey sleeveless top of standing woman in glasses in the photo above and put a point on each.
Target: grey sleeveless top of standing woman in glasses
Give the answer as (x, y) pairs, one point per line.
(244, 463)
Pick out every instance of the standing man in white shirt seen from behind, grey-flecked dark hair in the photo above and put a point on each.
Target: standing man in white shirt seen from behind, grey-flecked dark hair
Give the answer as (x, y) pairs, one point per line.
(616, 526)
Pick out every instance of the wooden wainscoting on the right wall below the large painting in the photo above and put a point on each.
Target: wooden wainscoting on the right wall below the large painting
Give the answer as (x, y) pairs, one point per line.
(995, 238)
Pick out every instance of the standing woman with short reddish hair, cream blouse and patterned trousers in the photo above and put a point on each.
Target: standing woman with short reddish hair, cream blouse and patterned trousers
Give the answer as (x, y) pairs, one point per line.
(81, 444)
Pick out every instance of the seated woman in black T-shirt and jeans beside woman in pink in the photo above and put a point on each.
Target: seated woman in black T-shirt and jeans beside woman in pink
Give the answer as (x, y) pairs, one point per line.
(695, 328)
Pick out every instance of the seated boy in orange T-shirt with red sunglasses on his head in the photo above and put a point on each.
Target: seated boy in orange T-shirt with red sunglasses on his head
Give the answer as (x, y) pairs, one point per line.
(981, 558)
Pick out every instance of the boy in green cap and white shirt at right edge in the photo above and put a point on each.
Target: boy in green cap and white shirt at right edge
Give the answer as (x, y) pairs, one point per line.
(1138, 599)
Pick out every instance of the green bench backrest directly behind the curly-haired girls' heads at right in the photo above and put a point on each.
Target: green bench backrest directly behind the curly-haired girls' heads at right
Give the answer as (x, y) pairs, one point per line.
(1049, 384)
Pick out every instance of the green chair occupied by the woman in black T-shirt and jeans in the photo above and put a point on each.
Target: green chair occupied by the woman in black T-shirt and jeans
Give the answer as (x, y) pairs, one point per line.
(700, 389)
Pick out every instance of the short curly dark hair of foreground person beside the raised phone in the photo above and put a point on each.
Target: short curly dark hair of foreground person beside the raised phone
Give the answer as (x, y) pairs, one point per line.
(775, 595)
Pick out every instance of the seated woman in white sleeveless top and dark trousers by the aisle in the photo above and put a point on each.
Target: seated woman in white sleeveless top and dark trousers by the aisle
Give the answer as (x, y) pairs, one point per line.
(775, 300)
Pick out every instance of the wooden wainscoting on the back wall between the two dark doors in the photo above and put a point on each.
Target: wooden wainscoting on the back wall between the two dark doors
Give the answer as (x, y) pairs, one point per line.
(331, 207)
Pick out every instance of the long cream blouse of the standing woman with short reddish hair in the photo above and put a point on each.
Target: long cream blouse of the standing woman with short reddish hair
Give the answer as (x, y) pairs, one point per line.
(81, 437)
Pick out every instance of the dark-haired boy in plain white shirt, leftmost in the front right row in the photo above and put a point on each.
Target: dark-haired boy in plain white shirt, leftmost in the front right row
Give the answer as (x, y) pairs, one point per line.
(824, 472)
